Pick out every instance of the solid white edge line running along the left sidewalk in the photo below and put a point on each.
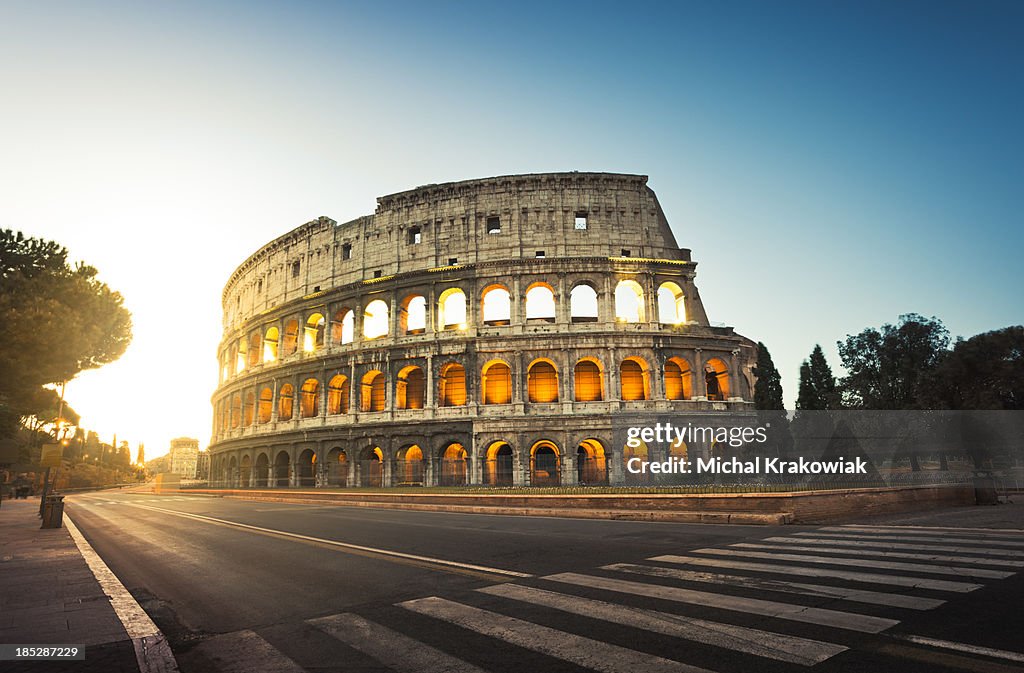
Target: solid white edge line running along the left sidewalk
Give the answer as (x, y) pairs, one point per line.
(152, 650)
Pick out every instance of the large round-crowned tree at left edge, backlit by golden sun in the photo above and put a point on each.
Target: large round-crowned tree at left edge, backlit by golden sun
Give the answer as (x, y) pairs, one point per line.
(59, 320)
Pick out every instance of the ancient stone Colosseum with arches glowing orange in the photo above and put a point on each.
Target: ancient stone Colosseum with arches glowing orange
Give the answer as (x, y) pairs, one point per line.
(490, 332)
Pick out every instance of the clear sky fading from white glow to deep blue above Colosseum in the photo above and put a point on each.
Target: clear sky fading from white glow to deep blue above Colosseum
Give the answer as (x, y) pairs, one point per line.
(832, 165)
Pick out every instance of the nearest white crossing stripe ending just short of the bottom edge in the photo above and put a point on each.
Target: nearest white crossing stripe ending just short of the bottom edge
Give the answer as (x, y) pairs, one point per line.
(752, 642)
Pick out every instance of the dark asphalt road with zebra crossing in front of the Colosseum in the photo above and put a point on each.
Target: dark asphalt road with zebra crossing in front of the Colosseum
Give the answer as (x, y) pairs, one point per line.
(257, 586)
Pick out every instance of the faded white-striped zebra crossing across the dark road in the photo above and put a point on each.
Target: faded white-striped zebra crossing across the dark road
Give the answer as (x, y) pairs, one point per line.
(741, 607)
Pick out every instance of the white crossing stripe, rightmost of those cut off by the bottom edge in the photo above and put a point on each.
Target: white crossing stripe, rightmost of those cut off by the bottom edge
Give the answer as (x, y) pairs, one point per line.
(567, 647)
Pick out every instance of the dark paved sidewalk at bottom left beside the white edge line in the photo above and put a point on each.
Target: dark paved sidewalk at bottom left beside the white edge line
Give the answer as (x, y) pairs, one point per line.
(49, 596)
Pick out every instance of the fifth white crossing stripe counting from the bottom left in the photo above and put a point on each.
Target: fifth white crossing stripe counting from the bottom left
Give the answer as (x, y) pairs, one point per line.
(821, 616)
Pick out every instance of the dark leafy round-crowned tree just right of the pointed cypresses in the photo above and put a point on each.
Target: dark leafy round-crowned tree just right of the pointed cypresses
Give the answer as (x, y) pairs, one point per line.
(886, 367)
